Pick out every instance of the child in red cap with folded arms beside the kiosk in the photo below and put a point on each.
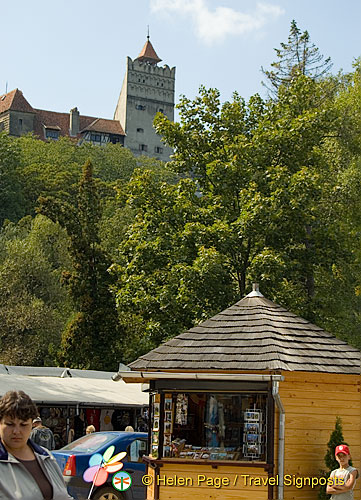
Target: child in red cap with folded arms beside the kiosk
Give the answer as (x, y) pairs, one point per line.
(343, 478)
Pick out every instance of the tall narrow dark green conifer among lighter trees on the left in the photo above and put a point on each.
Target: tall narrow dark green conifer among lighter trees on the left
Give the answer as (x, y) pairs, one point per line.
(92, 338)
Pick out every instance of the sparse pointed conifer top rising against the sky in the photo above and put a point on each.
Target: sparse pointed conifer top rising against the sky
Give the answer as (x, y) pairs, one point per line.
(296, 57)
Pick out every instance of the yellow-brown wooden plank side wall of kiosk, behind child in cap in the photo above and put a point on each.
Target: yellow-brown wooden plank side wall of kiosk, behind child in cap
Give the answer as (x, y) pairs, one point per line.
(312, 401)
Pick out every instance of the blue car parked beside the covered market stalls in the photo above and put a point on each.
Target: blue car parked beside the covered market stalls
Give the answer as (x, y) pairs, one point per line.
(74, 458)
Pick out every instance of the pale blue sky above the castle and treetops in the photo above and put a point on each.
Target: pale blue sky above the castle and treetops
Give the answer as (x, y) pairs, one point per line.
(73, 52)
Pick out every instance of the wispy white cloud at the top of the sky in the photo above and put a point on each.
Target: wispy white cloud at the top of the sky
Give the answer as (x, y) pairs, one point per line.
(215, 25)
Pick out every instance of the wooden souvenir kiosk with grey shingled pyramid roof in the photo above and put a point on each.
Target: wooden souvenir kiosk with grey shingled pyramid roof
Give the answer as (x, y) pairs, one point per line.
(242, 405)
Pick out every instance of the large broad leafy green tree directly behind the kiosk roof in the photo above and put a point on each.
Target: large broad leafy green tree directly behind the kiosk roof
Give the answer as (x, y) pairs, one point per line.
(249, 211)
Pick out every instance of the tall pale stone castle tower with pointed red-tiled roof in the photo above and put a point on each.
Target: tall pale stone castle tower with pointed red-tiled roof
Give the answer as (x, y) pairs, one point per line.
(147, 89)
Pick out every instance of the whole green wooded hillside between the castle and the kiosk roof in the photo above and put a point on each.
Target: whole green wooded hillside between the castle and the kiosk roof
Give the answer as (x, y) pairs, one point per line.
(104, 255)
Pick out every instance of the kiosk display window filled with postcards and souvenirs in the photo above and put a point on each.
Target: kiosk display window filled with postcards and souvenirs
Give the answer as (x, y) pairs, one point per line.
(214, 426)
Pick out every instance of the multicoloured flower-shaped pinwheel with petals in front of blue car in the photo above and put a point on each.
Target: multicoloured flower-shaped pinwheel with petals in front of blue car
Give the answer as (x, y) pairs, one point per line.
(100, 466)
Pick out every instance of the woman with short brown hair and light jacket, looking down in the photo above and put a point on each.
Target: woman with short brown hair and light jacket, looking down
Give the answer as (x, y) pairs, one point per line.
(27, 471)
